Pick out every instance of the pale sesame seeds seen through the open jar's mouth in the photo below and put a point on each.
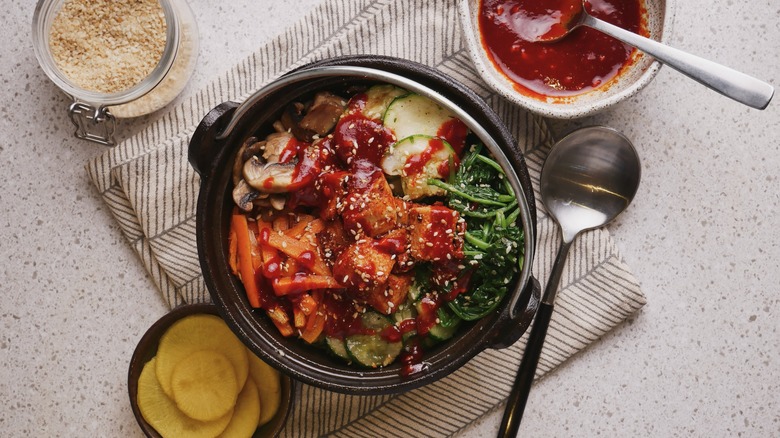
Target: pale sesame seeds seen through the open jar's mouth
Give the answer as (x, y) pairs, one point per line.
(108, 46)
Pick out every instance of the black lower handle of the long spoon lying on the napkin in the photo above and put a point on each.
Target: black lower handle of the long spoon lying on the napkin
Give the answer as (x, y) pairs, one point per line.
(515, 404)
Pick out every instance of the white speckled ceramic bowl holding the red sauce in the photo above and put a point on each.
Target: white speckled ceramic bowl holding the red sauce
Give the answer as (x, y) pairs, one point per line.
(660, 15)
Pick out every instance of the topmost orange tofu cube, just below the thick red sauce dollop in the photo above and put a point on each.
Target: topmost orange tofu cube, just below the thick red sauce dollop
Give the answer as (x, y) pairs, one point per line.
(372, 210)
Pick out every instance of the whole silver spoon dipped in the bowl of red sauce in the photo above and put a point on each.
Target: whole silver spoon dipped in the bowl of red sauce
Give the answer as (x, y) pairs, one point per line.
(731, 83)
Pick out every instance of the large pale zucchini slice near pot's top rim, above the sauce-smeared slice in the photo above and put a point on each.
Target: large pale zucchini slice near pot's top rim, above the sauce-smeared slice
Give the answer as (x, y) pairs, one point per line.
(414, 114)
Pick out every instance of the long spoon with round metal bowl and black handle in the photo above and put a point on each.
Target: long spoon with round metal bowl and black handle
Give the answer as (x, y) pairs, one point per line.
(588, 179)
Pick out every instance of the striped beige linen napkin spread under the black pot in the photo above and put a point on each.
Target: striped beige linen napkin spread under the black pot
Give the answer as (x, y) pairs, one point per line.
(152, 191)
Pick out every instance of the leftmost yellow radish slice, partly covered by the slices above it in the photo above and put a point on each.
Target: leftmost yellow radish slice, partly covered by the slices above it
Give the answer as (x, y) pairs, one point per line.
(162, 414)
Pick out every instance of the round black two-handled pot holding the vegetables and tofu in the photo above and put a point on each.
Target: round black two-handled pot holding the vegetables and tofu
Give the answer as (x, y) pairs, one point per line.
(211, 152)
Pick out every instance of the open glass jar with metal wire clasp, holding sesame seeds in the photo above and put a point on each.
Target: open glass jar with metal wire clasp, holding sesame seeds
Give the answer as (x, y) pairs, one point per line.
(94, 113)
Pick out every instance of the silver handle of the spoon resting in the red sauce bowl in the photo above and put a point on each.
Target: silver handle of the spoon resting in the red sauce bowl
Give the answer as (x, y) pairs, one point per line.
(731, 83)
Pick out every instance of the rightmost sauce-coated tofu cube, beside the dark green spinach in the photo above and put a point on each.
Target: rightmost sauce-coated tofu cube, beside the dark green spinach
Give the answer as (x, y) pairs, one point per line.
(435, 233)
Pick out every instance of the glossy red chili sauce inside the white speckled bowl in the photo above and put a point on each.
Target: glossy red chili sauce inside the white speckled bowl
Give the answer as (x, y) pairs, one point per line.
(579, 62)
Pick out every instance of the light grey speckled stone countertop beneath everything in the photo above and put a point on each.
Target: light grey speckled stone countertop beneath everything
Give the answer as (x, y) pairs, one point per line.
(701, 359)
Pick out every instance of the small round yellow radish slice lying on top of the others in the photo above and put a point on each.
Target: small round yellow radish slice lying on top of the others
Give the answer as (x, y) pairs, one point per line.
(204, 385)
